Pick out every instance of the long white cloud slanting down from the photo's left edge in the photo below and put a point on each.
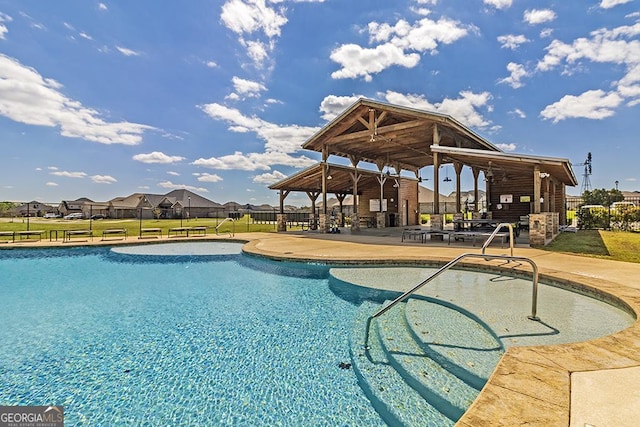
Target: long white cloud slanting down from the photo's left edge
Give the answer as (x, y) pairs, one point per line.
(27, 97)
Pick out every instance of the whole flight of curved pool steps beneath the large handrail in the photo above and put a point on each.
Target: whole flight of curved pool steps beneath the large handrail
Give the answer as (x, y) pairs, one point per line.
(427, 361)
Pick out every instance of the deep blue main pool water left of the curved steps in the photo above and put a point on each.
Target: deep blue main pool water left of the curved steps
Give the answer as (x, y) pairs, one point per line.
(183, 334)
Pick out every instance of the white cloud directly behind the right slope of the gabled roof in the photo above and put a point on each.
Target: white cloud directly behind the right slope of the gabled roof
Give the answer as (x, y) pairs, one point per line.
(463, 109)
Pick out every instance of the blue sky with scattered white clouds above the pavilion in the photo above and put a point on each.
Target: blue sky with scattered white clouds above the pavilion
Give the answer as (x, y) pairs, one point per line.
(104, 99)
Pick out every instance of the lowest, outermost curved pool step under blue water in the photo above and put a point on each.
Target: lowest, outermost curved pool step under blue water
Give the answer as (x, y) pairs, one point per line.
(395, 400)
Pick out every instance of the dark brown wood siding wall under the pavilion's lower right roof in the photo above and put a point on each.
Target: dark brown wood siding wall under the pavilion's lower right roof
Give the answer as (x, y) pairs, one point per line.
(516, 186)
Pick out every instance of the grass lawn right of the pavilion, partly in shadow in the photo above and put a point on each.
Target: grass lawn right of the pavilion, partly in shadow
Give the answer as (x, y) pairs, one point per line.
(615, 245)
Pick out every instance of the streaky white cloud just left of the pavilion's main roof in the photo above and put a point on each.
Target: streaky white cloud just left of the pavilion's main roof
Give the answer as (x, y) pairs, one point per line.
(280, 141)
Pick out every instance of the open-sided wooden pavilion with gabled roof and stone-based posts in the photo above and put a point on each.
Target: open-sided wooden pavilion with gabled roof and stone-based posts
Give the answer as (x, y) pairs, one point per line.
(405, 140)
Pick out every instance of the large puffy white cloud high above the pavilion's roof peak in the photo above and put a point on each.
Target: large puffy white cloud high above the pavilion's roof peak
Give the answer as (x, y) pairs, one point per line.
(401, 44)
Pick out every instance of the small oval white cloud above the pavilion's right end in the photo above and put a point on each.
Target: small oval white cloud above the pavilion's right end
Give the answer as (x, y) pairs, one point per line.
(593, 104)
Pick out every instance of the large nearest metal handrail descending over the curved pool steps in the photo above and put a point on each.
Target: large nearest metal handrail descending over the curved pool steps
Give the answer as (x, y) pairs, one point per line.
(447, 266)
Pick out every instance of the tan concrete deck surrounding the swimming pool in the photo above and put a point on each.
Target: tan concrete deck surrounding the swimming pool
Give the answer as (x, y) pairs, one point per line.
(592, 383)
